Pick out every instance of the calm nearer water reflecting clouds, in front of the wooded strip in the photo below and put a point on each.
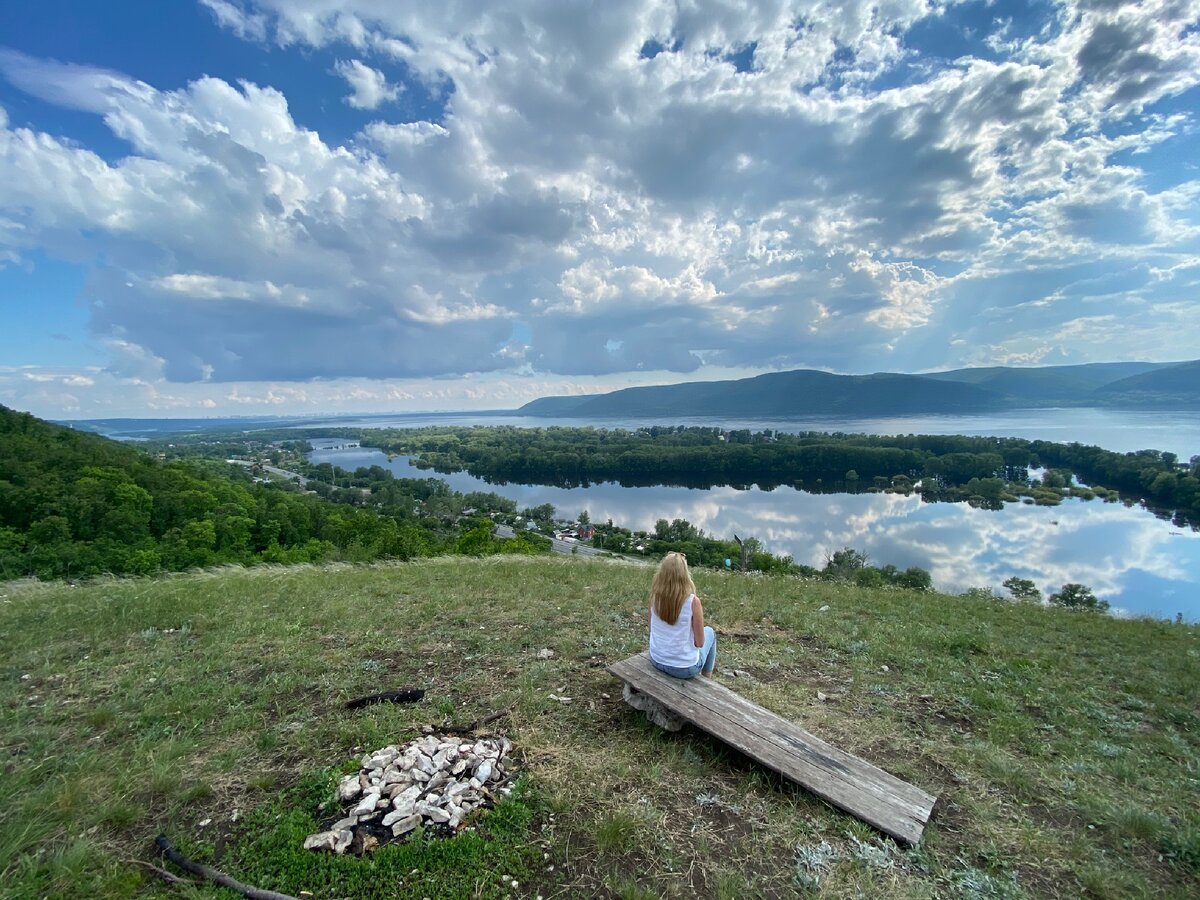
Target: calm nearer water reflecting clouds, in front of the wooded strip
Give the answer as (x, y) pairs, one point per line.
(1137, 562)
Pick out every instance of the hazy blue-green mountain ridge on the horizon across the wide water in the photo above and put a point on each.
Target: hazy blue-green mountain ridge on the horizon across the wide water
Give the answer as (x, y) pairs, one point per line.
(1160, 386)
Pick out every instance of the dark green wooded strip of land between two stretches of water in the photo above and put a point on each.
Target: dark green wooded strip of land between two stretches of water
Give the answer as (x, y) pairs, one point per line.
(981, 470)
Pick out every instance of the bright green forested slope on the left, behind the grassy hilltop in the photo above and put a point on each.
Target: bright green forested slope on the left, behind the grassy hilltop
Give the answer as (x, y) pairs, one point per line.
(75, 505)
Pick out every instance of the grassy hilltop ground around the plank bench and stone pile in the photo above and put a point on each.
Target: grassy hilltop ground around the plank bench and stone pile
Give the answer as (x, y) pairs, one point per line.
(1064, 746)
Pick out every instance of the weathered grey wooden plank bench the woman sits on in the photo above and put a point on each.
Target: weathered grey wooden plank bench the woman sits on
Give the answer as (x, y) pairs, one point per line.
(850, 784)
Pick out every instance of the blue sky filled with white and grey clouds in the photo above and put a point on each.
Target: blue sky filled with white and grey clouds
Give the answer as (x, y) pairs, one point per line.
(291, 207)
